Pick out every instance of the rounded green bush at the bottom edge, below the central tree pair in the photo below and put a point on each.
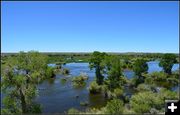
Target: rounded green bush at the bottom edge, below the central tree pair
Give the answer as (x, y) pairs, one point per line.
(114, 106)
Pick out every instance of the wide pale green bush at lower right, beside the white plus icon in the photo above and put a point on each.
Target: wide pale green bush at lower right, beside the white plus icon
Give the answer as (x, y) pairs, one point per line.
(145, 101)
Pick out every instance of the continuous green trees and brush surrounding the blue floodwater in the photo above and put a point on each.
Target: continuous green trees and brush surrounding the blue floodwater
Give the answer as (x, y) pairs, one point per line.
(21, 73)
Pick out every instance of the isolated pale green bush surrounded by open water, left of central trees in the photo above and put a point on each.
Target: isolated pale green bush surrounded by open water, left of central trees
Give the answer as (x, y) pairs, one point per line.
(79, 81)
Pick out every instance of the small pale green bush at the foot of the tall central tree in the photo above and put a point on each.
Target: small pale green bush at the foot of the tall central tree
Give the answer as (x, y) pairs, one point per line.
(94, 88)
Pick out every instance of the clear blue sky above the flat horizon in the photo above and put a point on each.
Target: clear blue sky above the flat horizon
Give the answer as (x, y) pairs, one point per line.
(89, 26)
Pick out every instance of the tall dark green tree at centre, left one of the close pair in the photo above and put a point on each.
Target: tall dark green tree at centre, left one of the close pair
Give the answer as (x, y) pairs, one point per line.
(95, 62)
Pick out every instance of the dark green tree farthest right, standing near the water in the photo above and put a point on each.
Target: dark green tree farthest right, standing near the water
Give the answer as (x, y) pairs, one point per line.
(167, 62)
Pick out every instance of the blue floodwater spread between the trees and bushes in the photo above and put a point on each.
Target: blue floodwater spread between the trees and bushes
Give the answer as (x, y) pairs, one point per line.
(57, 96)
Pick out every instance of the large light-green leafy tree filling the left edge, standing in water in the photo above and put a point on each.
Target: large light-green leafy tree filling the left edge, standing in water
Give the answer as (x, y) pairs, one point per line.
(19, 80)
